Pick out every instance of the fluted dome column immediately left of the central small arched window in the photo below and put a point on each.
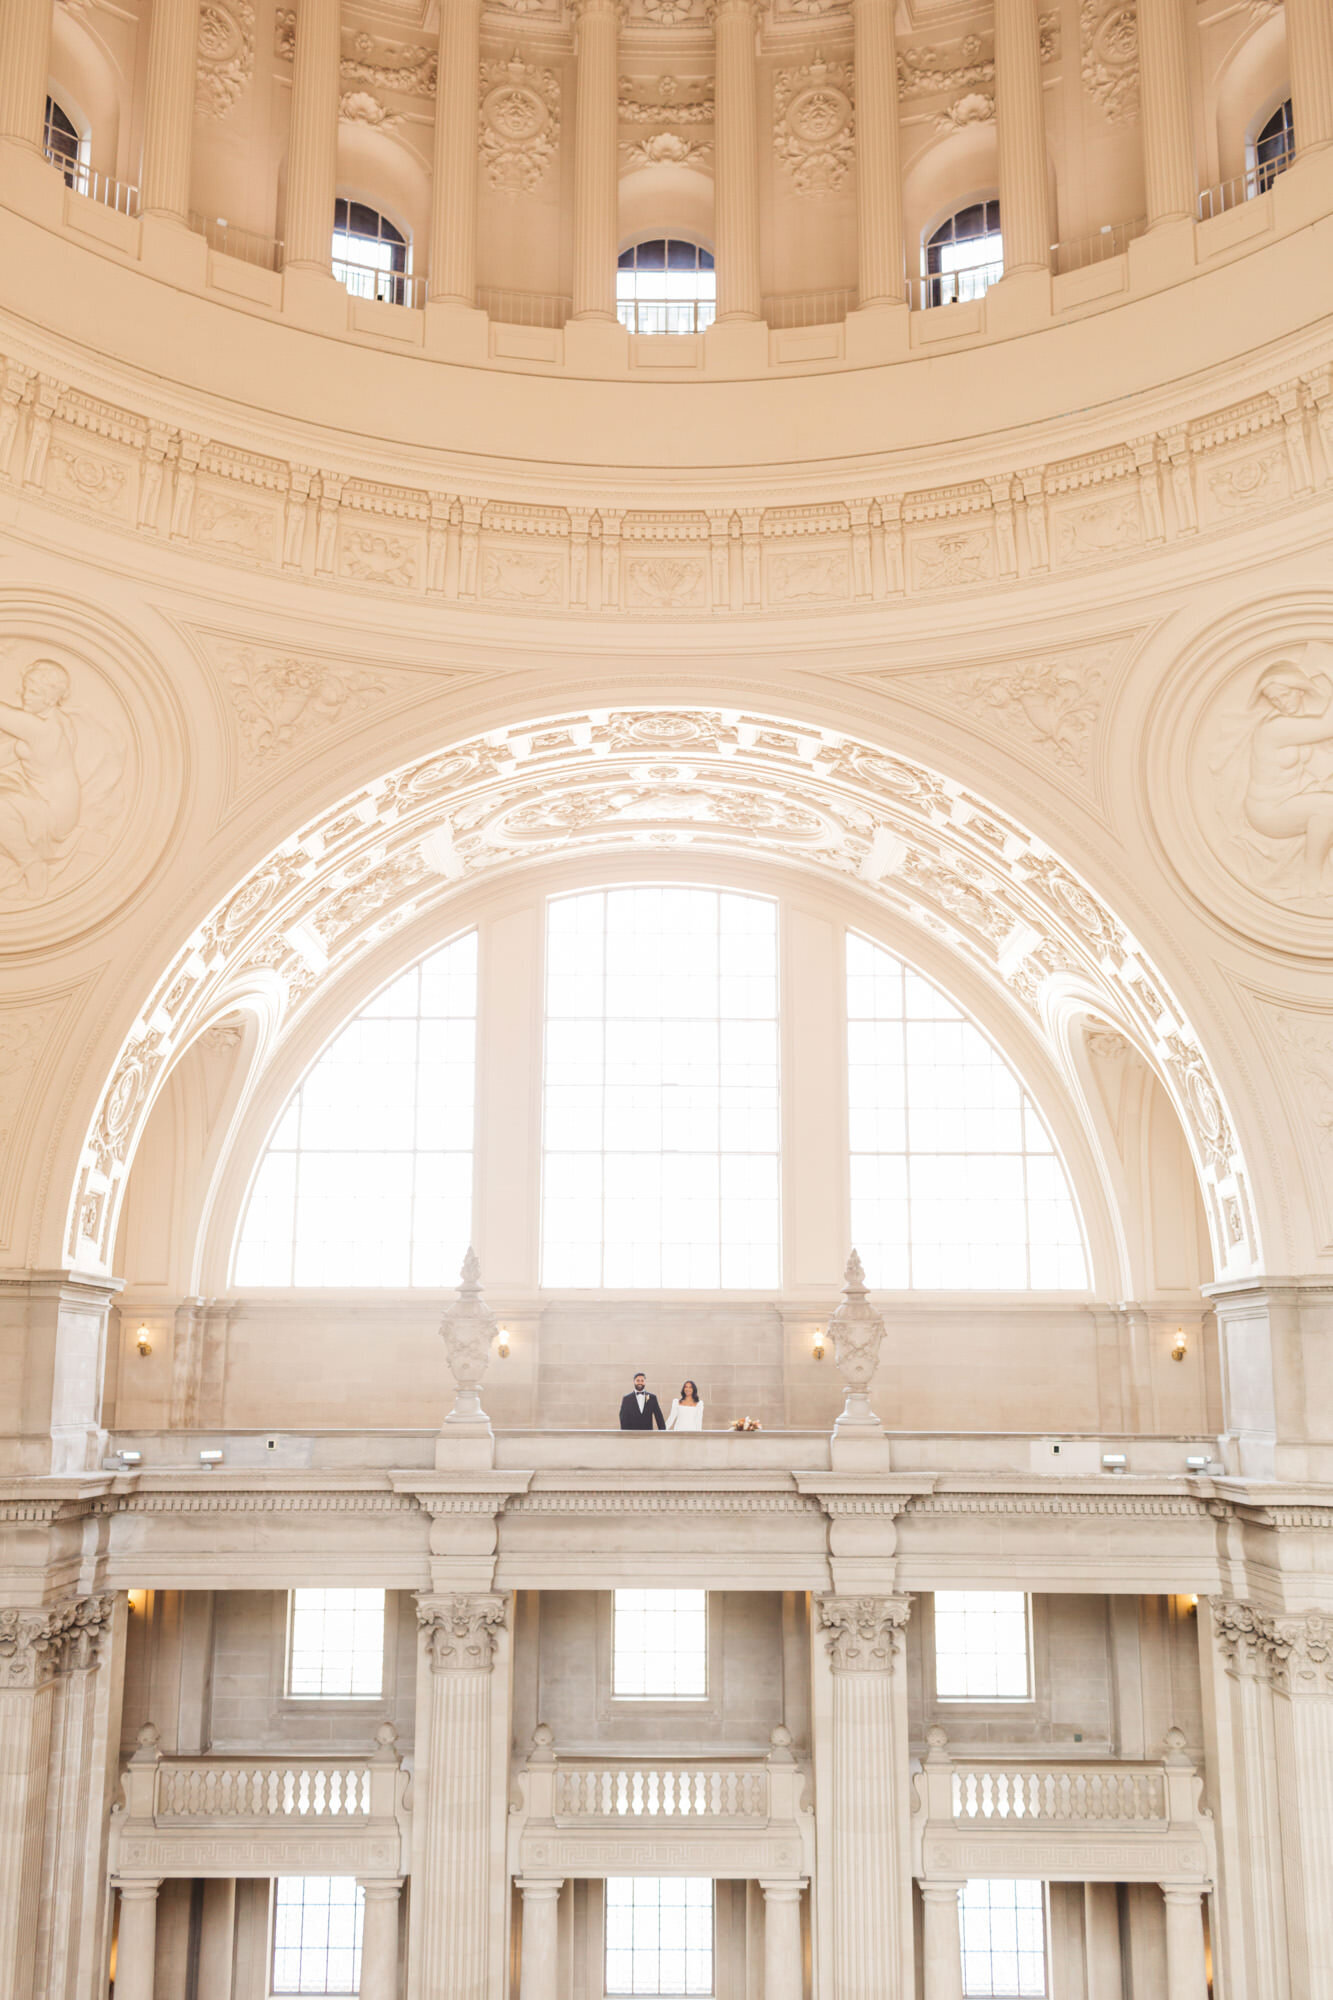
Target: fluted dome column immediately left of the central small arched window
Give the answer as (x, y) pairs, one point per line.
(597, 177)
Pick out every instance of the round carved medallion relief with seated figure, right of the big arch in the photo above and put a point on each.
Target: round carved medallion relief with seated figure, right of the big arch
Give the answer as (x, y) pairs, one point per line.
(1252, 829)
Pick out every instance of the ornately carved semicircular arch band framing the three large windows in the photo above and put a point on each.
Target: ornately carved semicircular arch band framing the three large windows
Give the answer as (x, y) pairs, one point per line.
(692, 781)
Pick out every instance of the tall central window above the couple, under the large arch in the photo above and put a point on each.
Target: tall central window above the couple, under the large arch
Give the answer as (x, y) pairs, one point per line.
(661, 1093)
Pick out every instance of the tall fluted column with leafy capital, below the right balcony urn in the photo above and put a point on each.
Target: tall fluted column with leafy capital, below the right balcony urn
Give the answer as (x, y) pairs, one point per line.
(872, 1861)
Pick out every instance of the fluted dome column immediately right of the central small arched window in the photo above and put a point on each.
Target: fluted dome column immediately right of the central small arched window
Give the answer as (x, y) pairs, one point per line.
(736, 141)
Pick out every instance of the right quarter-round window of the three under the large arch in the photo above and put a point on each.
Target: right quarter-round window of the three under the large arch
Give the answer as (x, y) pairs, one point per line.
(954, 1179)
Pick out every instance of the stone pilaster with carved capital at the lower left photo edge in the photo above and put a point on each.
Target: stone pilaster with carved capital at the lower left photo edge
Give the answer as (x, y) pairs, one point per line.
(51, 1803)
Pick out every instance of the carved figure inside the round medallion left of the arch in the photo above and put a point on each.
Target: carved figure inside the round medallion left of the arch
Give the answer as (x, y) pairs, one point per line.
(61, 775)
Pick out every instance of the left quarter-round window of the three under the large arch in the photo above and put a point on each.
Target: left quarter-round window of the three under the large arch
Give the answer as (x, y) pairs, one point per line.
(369, 1175)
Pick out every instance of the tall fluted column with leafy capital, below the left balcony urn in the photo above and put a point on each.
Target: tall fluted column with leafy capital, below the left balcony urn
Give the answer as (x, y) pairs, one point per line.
(453, 1797)
